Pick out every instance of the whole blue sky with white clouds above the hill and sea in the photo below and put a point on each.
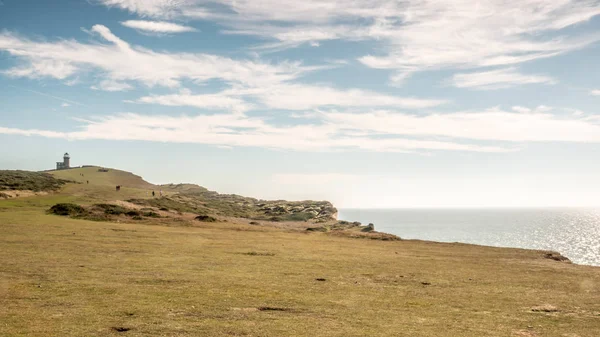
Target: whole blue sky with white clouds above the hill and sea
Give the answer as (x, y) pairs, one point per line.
(368, 104)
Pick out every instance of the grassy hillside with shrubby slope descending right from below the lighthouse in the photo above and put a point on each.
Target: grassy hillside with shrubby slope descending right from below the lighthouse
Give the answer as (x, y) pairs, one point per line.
(189, 197)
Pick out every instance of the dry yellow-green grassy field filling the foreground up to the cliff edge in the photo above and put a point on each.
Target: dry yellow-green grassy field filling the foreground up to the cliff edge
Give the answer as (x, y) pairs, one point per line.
(68, 277)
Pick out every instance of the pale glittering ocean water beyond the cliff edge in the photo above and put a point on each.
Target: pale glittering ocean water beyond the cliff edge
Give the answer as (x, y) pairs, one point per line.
(575, 233)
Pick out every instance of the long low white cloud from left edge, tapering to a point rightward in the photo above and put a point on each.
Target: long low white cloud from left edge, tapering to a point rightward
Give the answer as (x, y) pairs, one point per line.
(237, 130)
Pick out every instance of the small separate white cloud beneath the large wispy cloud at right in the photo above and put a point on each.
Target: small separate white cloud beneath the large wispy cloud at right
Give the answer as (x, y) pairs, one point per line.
(498, 79)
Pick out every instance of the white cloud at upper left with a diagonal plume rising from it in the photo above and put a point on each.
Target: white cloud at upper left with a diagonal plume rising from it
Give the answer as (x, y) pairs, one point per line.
(119, 61)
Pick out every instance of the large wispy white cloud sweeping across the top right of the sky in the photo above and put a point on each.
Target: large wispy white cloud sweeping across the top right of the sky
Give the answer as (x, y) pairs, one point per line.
(415, 35)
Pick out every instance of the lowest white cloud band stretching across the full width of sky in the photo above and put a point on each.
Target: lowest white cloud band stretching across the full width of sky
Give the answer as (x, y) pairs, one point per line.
(491, 130)
